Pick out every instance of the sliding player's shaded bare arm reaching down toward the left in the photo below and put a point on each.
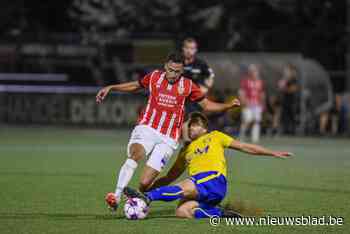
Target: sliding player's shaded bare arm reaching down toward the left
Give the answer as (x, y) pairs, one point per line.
(175, 172)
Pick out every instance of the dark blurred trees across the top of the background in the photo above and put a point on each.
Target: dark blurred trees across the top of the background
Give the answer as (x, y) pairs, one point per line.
(313, 27)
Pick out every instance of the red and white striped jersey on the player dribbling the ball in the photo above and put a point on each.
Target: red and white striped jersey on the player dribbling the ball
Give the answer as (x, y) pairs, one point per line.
(165, 107)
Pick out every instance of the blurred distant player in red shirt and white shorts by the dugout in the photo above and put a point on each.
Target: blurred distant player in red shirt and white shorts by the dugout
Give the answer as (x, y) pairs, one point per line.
(252, 96)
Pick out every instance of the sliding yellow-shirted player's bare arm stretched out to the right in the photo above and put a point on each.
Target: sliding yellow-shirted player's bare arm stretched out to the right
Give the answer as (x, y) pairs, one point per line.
(258, 150)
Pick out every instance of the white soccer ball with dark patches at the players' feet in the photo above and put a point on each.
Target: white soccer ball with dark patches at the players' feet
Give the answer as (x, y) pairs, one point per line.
(135, 208)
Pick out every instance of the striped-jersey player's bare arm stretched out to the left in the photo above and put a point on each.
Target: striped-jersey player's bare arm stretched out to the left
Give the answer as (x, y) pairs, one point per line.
(127, 87)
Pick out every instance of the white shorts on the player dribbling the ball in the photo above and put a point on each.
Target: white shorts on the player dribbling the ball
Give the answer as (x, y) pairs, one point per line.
(159, 148)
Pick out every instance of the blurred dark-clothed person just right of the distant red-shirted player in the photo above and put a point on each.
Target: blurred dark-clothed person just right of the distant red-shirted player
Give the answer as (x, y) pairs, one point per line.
(290, 99)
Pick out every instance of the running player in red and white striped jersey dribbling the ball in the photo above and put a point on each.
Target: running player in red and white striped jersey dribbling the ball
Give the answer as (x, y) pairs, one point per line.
(159, 126)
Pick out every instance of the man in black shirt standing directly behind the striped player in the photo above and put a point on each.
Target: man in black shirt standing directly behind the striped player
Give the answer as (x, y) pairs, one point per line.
(197, 70)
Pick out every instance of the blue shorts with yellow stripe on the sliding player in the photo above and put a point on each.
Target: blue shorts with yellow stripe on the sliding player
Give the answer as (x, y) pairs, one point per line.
(211, 187)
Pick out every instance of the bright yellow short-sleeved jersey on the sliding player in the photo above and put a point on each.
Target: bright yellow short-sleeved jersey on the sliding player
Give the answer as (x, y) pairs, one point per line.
(206, 153)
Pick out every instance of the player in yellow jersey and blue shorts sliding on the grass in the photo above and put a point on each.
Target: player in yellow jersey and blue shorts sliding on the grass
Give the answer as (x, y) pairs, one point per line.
(202, 192)
